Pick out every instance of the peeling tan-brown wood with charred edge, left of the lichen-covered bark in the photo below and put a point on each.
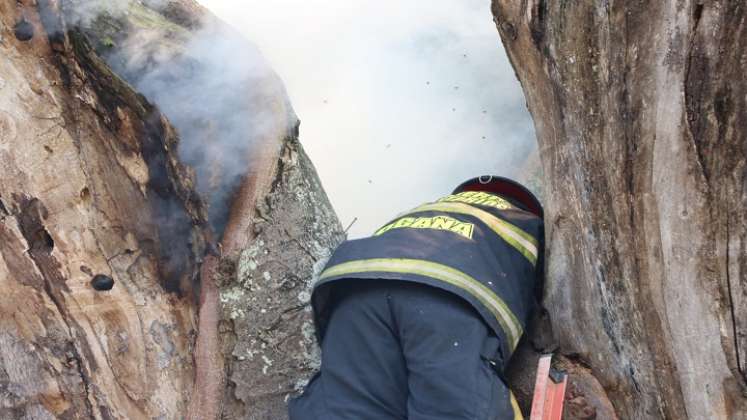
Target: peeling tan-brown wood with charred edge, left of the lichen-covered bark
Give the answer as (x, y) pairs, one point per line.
(87, 174)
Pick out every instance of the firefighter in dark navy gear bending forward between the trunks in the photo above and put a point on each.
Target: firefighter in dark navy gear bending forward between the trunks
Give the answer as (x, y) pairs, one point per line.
(418, 321)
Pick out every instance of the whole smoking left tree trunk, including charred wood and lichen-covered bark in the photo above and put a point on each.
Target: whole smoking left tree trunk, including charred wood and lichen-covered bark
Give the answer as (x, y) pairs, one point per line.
(92, 191)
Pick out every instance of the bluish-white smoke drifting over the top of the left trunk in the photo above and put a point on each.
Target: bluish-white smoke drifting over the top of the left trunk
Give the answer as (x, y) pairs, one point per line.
(210, 82)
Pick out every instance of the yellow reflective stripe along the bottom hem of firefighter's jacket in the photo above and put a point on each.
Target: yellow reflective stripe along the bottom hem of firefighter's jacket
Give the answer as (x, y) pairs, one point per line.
(507, 320)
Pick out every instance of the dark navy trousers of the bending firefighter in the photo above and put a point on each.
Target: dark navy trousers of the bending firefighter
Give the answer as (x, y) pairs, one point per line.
(404, 351)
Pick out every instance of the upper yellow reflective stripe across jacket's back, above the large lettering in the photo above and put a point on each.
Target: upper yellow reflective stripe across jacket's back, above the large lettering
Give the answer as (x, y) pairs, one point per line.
(522, 241)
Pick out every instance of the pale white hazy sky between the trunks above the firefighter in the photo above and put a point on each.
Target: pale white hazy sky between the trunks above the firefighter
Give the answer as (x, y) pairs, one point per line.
(399, 101)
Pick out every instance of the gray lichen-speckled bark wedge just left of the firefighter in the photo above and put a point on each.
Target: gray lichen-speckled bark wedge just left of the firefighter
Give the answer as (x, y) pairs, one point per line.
(268, 300)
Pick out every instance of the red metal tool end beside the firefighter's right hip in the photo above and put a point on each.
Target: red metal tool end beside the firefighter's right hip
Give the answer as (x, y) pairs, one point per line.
(549, 391)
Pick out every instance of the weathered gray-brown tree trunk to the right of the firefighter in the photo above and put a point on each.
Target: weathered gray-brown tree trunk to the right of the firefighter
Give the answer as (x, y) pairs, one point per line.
(640, 110)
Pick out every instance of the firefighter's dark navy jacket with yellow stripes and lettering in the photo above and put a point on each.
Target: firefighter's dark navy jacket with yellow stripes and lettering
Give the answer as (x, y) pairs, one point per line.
(475, 244)
